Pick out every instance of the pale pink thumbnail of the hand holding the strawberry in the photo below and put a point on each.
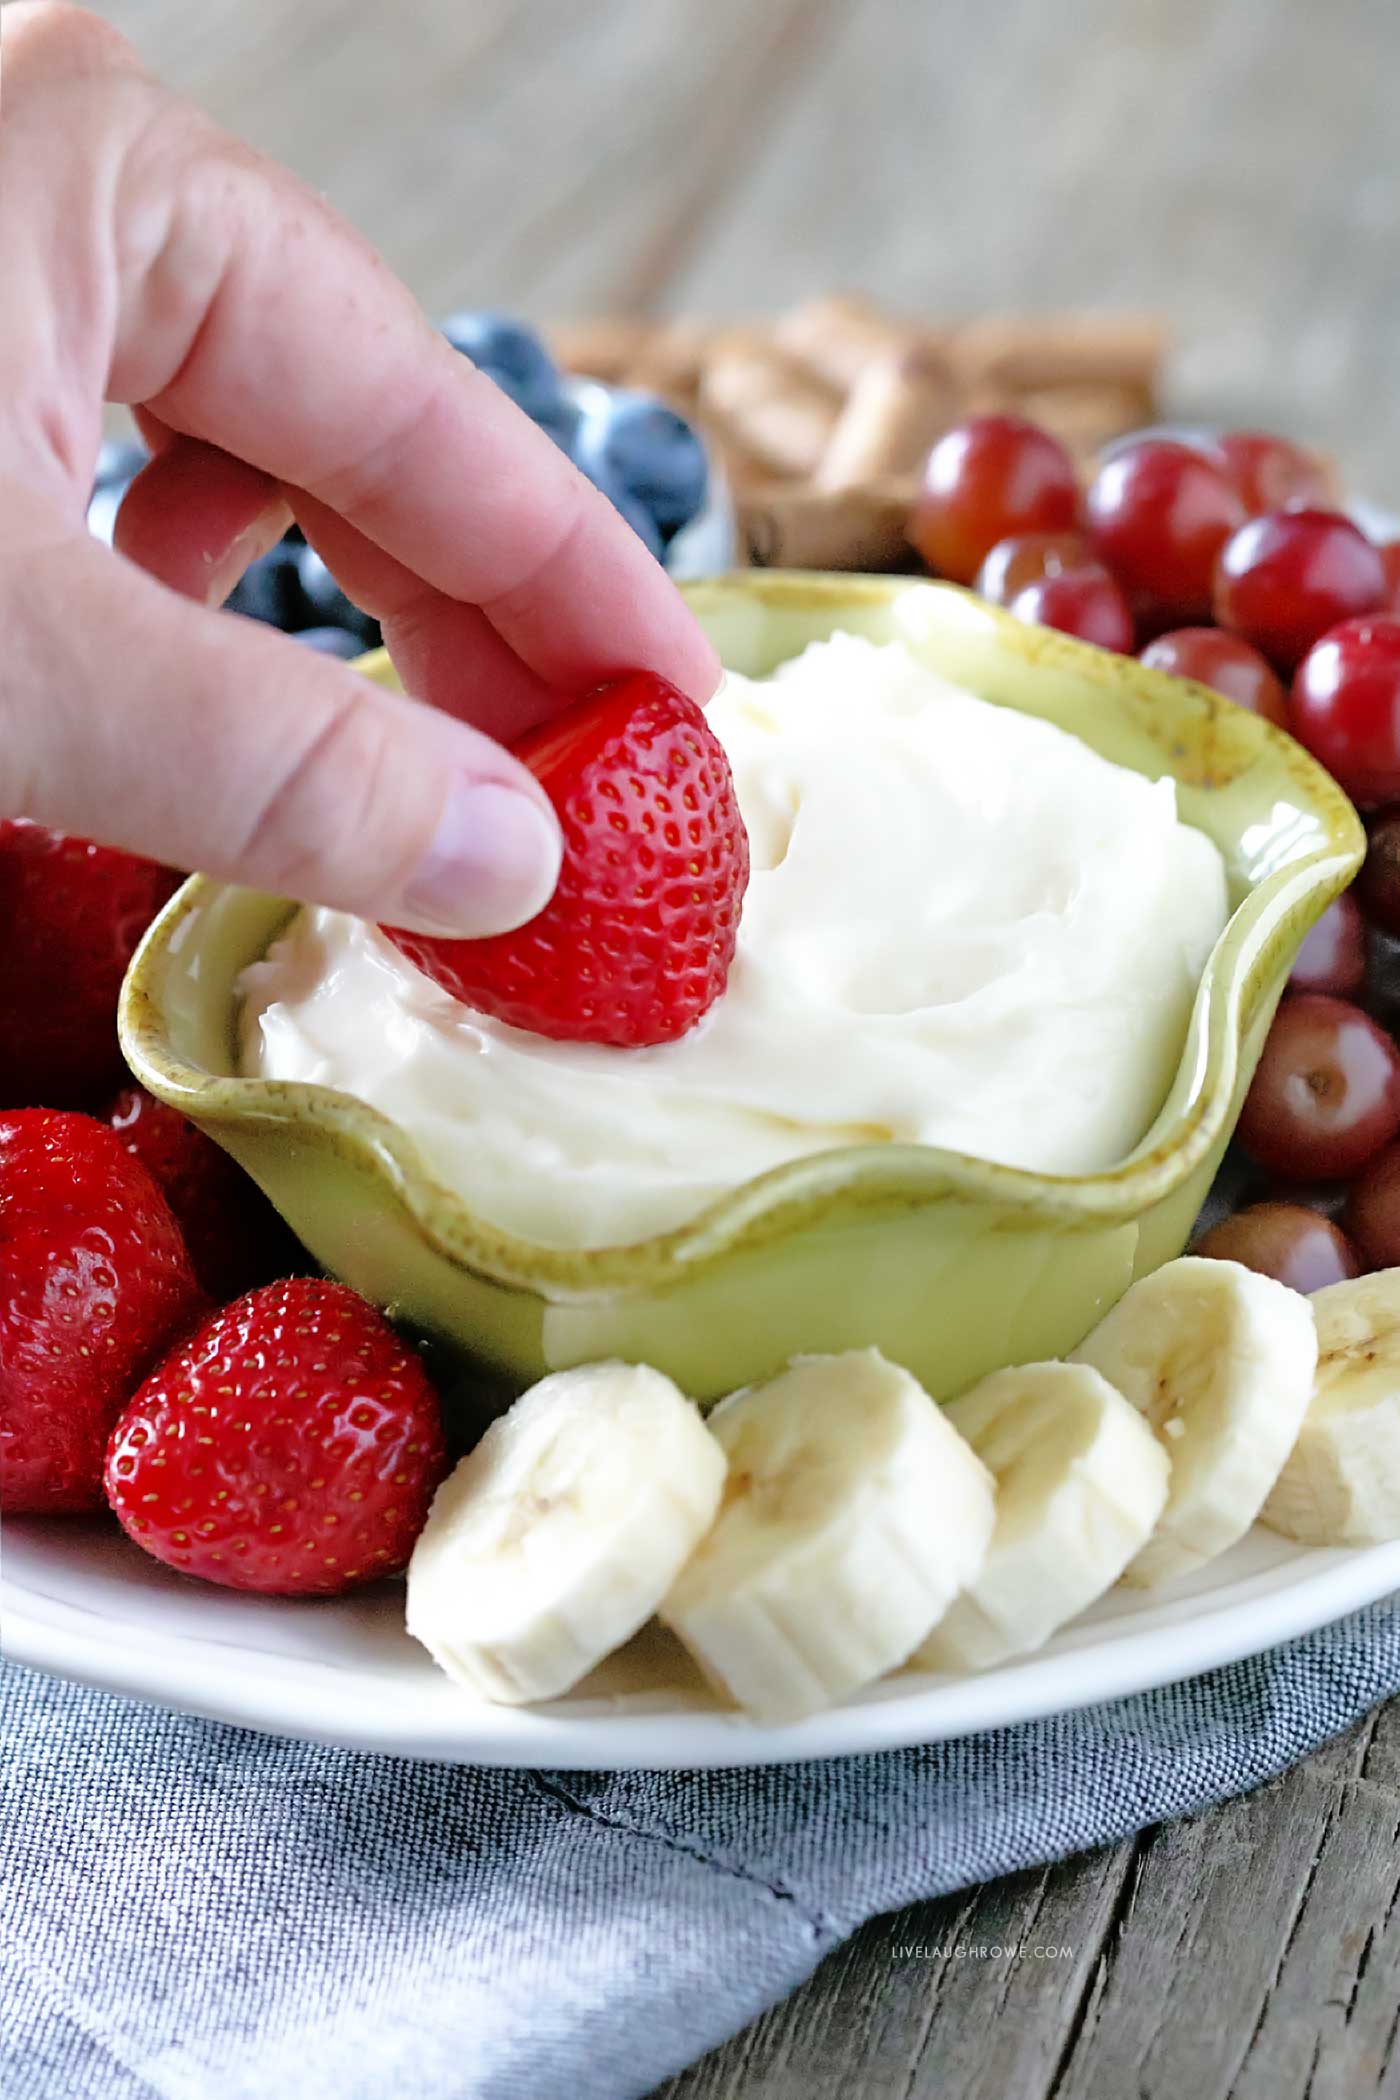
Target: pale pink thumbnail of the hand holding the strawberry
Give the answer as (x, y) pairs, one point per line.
(492, 864)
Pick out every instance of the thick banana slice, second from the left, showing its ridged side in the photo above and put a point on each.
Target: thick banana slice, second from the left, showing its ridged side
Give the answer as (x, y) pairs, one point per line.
(853, 1515)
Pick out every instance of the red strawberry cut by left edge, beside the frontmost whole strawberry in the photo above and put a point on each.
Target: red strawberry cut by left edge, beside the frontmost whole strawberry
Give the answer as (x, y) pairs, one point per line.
(93, 1284)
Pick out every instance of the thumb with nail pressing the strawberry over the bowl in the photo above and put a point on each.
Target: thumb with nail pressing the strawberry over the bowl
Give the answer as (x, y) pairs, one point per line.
(152, 723)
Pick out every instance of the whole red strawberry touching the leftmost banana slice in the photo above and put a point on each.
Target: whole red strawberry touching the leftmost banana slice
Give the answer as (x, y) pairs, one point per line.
(291, 1446)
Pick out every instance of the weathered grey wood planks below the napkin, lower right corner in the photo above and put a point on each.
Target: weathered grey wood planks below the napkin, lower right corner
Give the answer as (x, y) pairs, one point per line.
(1248, 1954)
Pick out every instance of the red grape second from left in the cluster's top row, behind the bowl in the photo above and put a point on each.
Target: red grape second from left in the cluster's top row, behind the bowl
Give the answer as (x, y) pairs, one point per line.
(1160, 516)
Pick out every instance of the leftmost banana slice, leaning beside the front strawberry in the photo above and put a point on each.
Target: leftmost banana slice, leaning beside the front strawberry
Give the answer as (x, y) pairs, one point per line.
(557, 1538)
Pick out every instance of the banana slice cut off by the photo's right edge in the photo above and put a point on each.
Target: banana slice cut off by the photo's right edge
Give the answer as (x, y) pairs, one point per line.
(1342, 1479)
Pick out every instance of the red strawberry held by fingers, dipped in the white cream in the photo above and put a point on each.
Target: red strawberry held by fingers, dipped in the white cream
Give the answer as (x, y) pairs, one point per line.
(637, 942)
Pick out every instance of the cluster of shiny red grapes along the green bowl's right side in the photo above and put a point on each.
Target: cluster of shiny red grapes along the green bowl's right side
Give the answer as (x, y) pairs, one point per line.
(1223, 560)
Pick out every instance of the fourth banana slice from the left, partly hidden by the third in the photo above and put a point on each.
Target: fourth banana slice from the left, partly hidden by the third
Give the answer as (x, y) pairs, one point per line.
(1221, 1362)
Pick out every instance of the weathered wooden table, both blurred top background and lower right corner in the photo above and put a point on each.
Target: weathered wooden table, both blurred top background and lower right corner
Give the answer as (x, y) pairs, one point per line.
(1231, 163)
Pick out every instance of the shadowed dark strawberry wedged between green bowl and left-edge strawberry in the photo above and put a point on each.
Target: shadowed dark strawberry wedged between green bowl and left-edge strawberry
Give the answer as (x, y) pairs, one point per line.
(232, 1232)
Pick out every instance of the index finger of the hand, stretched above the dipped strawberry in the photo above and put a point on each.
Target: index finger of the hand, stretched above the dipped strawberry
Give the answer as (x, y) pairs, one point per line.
(253, 318)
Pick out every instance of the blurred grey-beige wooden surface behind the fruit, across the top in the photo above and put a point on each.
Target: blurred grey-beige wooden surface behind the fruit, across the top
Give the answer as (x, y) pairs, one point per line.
(1227, 163)
